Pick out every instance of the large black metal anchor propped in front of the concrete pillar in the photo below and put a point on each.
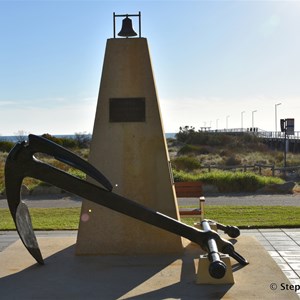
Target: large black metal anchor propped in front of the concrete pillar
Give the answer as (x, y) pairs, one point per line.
(22, 163)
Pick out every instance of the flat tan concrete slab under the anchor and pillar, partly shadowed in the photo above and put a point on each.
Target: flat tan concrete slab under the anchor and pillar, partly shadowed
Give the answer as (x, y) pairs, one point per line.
(66, 276)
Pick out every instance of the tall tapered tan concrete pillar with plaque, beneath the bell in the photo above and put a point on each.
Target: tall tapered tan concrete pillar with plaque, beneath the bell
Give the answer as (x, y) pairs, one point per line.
(129, 147)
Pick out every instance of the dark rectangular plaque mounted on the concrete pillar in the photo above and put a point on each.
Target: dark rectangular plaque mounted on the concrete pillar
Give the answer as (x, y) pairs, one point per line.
(127, 110)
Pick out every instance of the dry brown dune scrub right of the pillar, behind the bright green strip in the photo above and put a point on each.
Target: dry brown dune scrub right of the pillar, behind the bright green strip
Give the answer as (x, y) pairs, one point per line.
(193, 150)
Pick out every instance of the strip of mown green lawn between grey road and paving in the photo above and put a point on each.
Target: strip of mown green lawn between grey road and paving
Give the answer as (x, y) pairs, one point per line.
(241, 216)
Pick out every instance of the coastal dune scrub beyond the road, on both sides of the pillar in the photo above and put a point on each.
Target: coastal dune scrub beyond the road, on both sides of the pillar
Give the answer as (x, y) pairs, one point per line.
(189, 153)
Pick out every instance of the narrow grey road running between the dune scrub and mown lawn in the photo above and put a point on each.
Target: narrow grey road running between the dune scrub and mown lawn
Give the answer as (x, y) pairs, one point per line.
(67, 200)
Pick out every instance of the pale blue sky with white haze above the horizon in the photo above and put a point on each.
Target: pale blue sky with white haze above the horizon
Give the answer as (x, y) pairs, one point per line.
(212, 60)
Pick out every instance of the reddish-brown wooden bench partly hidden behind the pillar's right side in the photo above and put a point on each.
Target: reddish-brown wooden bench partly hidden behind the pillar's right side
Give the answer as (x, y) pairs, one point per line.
(191, 189)
